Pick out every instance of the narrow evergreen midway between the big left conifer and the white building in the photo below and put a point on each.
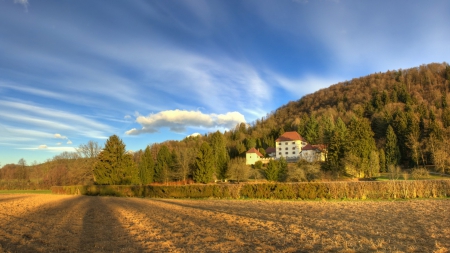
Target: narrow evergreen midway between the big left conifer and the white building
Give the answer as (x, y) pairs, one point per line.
(204, 165)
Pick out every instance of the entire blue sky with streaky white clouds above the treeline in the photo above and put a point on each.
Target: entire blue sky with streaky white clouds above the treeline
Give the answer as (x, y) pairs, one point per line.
(72, 71)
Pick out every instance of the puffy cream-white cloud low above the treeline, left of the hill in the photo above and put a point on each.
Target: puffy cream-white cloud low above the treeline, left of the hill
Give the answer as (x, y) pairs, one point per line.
(179, 120)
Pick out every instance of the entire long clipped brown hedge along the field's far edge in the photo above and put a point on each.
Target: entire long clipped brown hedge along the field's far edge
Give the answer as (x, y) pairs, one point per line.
(305, 191)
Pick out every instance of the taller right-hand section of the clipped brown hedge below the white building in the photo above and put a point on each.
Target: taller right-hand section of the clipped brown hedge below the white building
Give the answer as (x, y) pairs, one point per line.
(350, 190)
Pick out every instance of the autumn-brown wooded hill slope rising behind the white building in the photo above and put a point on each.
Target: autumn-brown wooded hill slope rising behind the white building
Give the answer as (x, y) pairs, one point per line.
(415, 102)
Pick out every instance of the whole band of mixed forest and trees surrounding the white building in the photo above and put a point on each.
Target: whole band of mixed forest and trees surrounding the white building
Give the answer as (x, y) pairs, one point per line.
(381, 122)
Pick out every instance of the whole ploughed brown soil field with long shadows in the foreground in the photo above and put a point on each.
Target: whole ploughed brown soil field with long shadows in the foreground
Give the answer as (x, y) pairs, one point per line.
(56, 223)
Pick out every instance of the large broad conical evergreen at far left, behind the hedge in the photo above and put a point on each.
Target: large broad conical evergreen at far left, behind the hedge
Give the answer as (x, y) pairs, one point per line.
(114, 166)
